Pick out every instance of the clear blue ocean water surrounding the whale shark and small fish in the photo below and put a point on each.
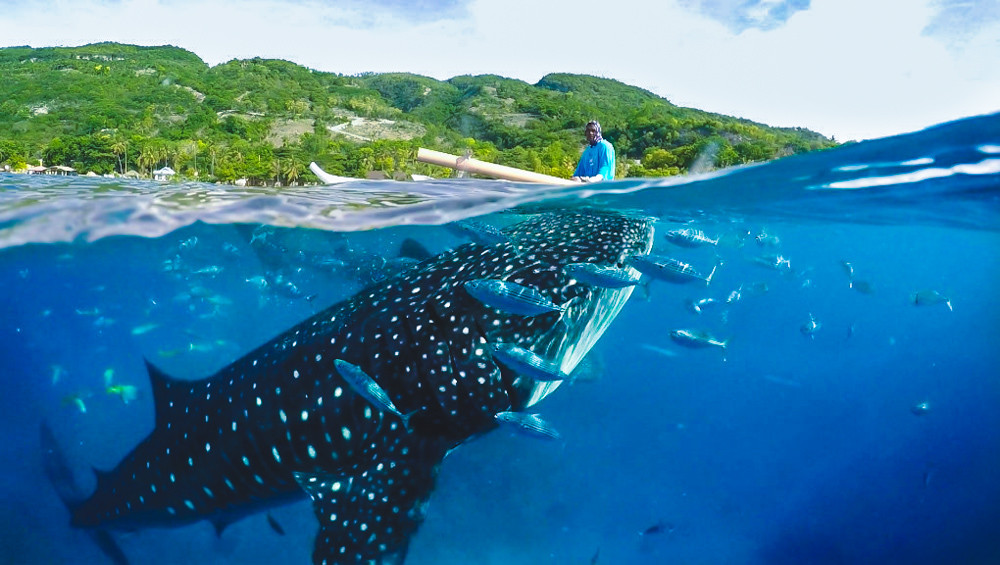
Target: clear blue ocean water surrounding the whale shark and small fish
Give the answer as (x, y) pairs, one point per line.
(874, 438)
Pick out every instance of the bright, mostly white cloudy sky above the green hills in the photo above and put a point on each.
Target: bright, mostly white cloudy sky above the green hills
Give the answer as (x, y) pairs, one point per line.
(850, 69)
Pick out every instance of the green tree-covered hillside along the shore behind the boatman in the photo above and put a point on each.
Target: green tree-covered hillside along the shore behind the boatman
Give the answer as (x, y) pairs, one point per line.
(113, 108)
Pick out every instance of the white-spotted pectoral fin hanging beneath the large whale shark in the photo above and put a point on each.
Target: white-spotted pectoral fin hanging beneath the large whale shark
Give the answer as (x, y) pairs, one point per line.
(369, 517)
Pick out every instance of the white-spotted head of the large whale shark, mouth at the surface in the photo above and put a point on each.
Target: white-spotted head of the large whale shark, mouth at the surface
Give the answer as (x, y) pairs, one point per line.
(446, 372)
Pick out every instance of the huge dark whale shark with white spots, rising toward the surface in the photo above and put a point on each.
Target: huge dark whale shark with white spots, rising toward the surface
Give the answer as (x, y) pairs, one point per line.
(282, 424)
